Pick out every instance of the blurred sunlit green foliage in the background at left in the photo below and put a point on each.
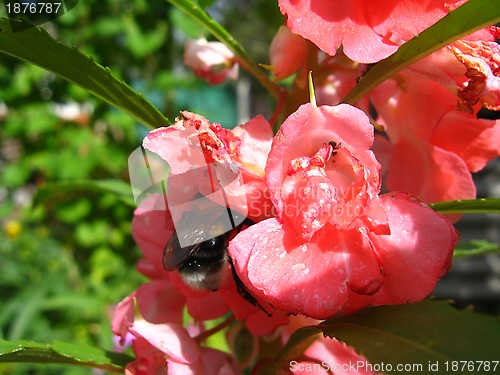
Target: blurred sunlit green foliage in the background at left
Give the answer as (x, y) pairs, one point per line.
(66, 251)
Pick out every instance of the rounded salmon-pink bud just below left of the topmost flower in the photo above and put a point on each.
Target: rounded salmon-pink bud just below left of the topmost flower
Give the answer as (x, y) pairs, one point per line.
(287, 53)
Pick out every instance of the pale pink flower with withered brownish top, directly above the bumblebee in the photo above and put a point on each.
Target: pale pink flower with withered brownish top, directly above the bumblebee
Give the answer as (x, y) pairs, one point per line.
(193, 144)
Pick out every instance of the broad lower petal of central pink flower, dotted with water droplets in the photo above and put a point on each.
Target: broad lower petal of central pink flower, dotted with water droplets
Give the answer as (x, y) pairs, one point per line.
(314, 278)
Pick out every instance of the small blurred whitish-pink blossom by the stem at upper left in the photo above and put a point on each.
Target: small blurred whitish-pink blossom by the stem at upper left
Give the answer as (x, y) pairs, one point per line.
(212, 61)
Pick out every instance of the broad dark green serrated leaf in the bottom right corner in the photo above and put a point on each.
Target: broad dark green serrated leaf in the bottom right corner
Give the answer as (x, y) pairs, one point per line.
(423, 333)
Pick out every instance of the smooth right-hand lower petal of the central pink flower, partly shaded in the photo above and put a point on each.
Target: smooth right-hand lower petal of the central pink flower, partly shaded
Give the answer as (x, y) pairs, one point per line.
(416, 254)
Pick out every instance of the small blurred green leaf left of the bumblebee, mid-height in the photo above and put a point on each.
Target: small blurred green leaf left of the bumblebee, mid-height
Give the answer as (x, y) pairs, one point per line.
(53, 189)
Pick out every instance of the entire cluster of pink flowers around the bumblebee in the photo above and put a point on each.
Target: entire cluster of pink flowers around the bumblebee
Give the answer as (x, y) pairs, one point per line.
(324, 239)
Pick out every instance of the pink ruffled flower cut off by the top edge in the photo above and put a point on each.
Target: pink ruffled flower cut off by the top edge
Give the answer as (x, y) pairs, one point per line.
(368, 31)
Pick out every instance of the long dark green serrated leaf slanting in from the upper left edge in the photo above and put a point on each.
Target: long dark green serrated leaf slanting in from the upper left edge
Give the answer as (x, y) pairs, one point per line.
(36, 46)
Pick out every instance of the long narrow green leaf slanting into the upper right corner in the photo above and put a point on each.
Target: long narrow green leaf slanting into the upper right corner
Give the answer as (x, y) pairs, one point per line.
(471, 16)
